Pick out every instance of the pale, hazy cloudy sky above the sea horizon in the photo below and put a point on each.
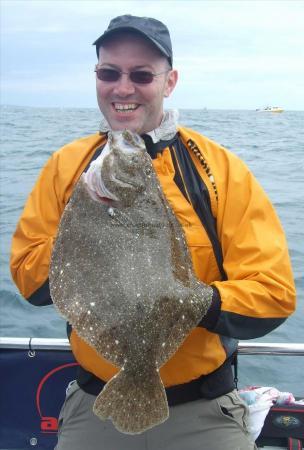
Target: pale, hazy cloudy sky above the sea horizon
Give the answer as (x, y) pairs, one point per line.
(230, 54)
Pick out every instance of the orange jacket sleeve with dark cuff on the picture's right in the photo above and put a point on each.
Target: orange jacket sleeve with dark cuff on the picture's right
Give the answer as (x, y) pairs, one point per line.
(259, 293)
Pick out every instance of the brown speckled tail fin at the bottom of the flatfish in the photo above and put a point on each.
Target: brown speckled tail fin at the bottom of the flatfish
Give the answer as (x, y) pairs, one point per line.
(134, 405)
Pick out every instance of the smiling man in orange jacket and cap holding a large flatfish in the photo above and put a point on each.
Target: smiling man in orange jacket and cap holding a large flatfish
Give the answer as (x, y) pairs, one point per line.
(234, 236)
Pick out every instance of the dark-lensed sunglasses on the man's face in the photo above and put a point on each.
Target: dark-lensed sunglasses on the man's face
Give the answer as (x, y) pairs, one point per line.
(136, 76)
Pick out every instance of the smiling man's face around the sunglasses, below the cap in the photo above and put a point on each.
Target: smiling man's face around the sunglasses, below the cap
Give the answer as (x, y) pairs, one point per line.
(137, 107)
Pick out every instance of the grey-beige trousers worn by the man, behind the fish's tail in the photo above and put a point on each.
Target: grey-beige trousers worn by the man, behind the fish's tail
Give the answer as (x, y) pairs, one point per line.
(219, 424)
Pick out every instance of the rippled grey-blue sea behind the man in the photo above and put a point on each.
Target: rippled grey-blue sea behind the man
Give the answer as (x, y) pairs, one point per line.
(272, 145)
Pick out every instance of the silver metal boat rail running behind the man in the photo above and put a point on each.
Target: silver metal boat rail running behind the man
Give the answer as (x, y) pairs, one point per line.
(244, 348)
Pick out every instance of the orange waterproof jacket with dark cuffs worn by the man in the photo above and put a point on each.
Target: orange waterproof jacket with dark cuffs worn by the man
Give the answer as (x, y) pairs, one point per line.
(259, 292)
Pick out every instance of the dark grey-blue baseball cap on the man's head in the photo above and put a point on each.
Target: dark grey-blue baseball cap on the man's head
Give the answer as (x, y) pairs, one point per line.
(152, 29)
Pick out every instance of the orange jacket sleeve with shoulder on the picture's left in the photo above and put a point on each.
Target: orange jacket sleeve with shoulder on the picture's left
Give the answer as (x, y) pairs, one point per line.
(37, 227)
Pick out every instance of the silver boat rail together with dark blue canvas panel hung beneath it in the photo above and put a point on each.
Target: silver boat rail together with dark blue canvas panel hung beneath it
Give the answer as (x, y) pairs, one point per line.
(35, 373)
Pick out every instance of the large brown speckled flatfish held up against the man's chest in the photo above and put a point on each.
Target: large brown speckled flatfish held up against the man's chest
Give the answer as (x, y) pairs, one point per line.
(122, 276)
